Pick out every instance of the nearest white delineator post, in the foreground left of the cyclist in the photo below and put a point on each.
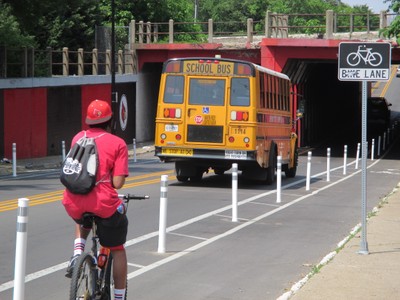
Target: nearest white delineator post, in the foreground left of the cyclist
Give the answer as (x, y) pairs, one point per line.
(20, 249)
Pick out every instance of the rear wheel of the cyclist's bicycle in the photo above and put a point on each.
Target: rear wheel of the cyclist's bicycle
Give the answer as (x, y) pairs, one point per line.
(83, 281)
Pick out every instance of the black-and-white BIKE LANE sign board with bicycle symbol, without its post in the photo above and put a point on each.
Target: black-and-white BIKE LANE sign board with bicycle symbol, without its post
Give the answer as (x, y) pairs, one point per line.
(364, 61)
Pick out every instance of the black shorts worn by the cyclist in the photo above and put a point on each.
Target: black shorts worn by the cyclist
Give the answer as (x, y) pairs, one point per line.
(111, 231)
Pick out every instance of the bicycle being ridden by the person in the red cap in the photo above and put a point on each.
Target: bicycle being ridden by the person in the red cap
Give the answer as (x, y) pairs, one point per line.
(90, 279)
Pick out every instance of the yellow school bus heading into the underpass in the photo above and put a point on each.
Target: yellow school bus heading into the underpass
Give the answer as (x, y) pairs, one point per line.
(214, 112)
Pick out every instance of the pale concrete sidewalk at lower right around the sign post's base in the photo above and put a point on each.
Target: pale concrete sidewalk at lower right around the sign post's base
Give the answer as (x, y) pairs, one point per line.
(350, 275)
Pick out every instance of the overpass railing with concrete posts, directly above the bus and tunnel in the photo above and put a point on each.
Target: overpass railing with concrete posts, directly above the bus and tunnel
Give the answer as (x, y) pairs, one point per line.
(274, 25)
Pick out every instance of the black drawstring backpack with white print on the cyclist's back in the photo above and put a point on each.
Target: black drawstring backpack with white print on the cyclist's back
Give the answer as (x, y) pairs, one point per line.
(79, 168)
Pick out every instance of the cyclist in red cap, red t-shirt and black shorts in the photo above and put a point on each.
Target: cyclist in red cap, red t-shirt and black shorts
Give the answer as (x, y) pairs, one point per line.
(103, 201)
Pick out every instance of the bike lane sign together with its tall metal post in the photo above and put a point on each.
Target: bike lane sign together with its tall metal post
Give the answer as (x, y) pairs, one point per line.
(364, 62)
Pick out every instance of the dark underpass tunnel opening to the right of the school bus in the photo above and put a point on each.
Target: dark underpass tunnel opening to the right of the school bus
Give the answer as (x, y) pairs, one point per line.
(331, 107)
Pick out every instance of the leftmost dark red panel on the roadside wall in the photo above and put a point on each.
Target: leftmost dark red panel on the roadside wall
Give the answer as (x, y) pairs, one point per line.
(25, 122)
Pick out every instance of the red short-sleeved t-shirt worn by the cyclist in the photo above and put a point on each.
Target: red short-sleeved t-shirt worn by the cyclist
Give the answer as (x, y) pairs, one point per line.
(113, 161)
